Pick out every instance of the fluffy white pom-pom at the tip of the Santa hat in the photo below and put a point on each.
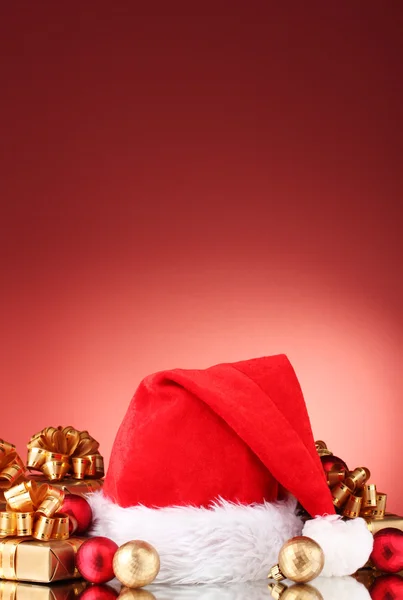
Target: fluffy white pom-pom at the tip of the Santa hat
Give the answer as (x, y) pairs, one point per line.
(347, 545)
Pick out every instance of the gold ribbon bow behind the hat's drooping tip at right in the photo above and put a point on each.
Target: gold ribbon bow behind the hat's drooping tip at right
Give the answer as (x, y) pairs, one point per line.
(352, 495)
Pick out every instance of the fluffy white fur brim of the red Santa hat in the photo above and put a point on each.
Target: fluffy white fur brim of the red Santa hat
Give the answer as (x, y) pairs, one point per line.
(227, 543)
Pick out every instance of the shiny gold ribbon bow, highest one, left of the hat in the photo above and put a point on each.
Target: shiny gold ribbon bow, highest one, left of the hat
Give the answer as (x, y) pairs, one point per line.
(60, 451)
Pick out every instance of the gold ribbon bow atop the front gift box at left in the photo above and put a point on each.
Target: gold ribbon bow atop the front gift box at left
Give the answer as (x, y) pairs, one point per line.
(32, 511)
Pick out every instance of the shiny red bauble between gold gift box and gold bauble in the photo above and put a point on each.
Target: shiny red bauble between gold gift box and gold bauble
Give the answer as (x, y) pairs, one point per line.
(95, 559)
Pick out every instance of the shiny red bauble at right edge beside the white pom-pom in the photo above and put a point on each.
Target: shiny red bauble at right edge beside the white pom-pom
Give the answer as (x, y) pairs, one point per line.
(387, 554)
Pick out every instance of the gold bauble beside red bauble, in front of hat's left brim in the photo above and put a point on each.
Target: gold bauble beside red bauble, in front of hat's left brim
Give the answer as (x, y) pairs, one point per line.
(136, 564)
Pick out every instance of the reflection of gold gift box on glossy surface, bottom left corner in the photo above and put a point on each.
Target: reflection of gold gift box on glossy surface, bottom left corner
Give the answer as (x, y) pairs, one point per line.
(14, 590)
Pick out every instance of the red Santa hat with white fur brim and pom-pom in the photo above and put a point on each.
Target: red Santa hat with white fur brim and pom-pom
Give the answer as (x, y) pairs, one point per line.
(208, 467)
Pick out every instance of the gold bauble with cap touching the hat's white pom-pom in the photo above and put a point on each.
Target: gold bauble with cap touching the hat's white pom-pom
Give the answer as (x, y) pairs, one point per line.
(301, 559)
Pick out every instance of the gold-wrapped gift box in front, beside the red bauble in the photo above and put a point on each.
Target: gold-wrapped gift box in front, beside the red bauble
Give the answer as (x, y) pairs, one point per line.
(42, 562)
